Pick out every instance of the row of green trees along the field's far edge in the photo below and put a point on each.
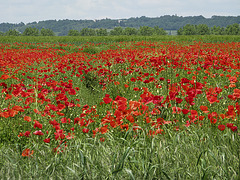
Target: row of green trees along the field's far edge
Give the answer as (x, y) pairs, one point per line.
(189, 29)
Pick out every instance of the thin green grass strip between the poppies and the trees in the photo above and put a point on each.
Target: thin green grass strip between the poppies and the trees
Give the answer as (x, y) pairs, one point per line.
(110, 39)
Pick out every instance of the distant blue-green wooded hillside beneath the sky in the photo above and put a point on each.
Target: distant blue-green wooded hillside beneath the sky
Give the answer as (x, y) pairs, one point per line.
(167, 22)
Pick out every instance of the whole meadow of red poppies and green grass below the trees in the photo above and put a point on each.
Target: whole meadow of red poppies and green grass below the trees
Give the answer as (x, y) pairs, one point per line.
(120, 107)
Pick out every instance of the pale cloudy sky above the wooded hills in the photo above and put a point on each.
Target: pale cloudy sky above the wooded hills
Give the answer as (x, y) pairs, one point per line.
(26, 11)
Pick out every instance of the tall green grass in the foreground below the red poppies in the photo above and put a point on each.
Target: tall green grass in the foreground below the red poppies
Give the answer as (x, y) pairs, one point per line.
(193, 154)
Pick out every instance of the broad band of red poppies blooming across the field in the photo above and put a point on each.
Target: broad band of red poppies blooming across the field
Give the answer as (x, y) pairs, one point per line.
(142, 88)
